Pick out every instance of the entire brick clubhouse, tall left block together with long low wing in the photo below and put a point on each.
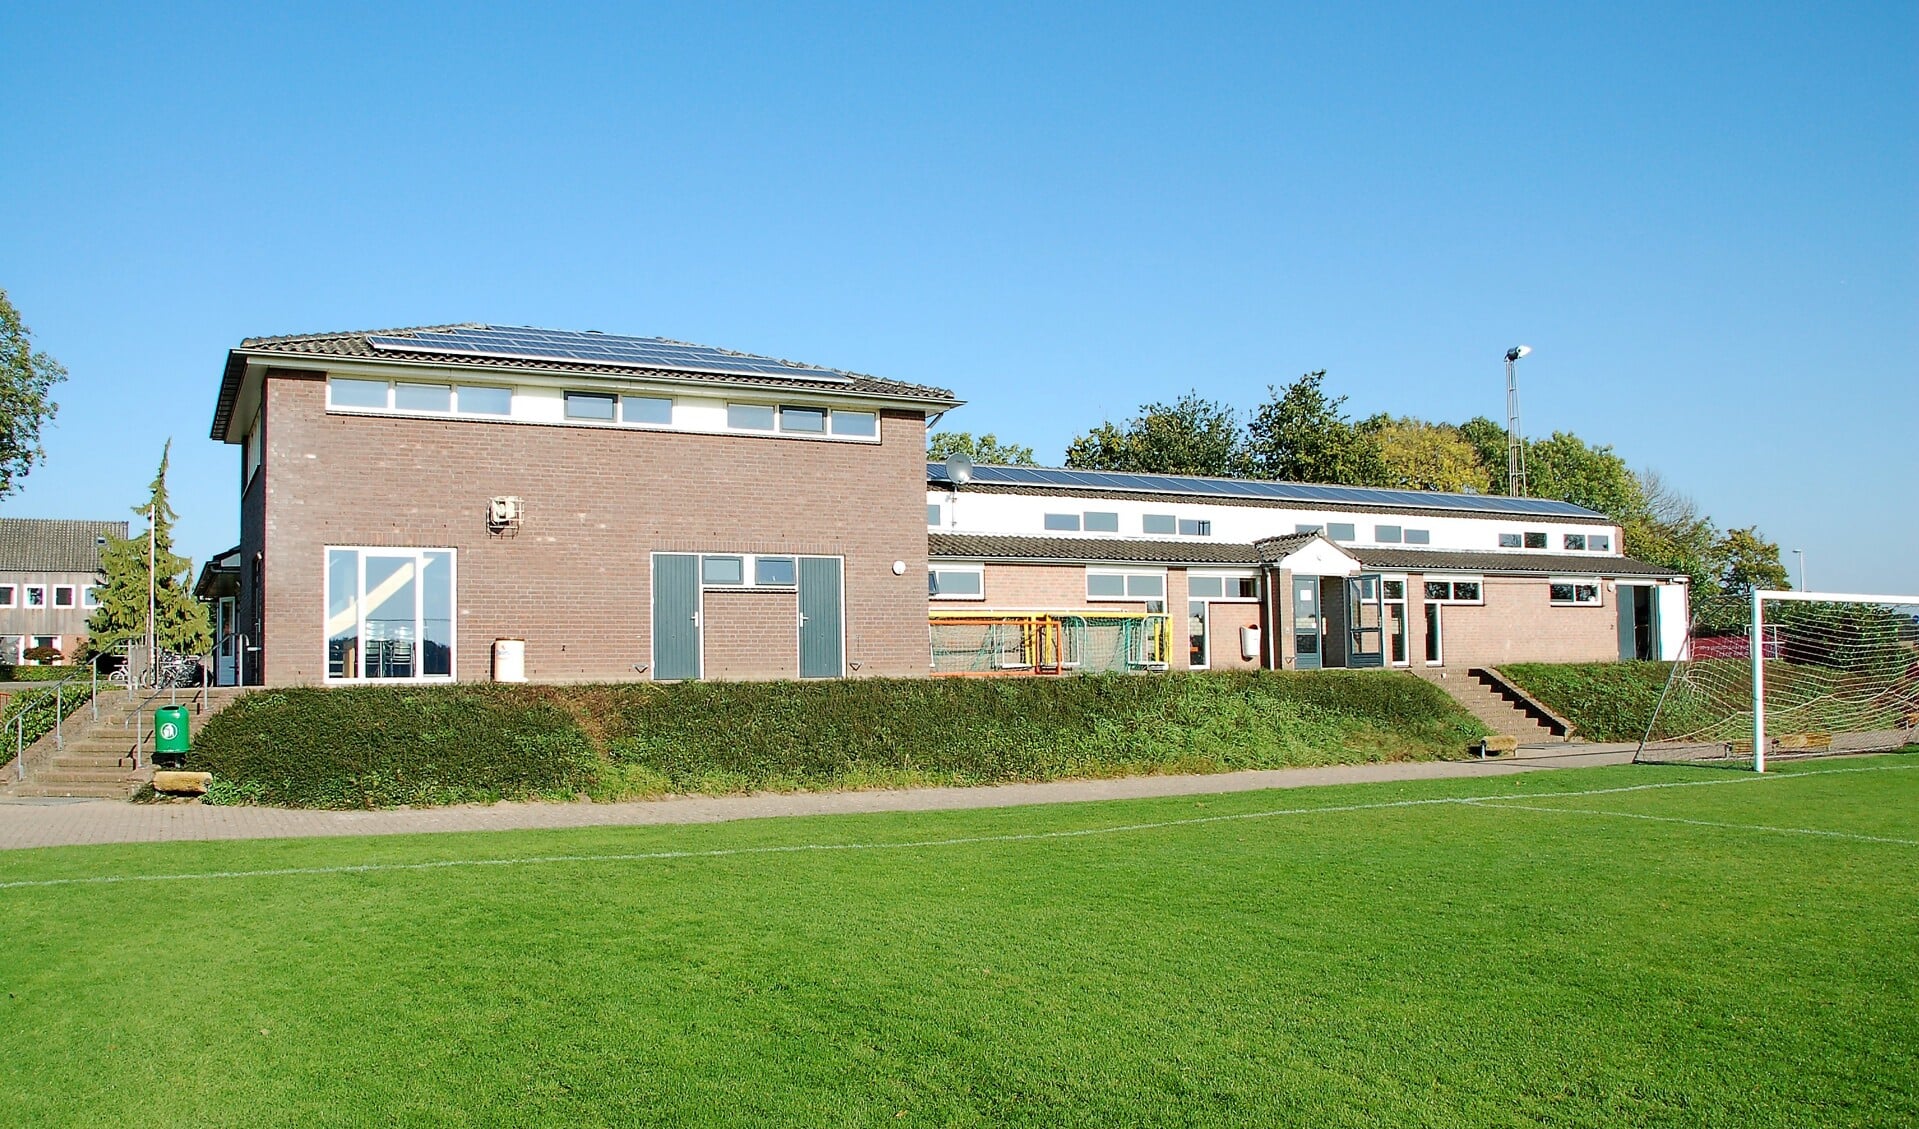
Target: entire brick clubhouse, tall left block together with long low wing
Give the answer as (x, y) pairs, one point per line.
(492, 502)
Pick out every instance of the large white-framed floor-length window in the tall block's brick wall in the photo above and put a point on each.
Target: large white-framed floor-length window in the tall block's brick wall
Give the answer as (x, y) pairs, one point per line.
(391, 613)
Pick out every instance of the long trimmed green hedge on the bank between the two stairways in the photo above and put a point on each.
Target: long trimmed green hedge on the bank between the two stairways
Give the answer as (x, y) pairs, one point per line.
(421, 746)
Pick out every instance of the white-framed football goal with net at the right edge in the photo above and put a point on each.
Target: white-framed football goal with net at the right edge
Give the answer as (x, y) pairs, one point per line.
(1791, 675)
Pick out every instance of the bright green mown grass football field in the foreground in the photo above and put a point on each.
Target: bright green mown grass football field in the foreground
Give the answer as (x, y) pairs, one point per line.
(1588, 948)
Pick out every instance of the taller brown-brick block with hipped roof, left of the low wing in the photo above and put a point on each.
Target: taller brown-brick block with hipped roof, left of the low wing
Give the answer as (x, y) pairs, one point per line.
(609, 508)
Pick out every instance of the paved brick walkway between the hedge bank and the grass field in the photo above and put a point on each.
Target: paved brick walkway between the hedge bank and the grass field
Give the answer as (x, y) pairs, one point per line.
(80, 823)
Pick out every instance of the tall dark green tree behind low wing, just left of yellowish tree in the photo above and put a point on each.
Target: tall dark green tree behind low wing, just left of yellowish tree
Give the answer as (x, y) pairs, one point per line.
(1300, 435)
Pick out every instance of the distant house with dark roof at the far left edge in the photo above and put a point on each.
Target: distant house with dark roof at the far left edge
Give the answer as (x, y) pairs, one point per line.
(49, 571)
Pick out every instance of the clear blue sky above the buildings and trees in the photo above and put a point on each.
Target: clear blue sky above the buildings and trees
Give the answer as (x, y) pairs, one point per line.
(1703, 218)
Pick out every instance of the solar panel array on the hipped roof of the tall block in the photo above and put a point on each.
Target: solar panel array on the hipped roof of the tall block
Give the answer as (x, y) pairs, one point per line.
(538, 345)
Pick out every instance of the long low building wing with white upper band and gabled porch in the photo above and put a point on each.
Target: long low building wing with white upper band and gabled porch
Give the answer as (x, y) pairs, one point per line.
(1079, 569)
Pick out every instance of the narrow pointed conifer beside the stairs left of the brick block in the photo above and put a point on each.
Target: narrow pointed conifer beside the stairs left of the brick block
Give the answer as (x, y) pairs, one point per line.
(179, 619)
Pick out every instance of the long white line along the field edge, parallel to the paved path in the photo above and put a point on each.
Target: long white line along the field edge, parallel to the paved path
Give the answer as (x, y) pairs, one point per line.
(926, 844)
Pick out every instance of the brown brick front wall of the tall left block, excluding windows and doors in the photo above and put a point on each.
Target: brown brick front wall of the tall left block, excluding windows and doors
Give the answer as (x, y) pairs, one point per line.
(575, 581)
